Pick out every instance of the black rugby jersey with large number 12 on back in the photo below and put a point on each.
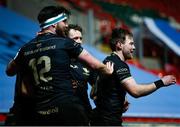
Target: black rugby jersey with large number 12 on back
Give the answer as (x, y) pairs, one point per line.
(46, 60)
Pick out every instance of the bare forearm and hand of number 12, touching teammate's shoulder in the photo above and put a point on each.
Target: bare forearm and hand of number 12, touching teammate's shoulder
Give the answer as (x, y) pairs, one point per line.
(95, 63)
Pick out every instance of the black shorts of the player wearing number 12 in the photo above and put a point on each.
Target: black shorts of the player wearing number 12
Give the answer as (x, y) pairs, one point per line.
(67, 114)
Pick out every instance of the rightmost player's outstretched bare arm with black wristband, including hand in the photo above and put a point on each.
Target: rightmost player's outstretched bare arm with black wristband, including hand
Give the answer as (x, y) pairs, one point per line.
(138, 90)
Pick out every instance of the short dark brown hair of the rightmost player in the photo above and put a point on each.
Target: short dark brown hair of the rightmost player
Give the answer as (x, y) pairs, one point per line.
(118, 35)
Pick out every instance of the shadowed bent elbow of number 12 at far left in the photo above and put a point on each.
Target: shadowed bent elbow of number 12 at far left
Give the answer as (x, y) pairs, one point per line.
(11, 68)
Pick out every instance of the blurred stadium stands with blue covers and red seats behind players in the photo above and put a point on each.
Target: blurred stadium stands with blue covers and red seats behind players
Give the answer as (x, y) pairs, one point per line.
(155, 25)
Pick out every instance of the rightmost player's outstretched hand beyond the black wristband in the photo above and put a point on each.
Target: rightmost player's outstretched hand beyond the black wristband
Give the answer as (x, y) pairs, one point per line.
(168, 80)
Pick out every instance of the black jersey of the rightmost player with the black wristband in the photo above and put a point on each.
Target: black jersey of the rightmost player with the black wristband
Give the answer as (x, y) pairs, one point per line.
(110, 94)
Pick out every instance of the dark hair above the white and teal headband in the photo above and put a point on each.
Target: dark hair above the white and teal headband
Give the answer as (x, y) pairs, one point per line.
(51, 11)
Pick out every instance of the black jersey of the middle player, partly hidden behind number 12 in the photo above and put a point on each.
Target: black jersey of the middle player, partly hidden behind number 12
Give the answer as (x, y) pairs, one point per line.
(82, 75)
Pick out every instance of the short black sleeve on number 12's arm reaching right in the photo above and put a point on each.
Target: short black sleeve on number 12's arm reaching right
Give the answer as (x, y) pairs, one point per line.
(73, 48)
